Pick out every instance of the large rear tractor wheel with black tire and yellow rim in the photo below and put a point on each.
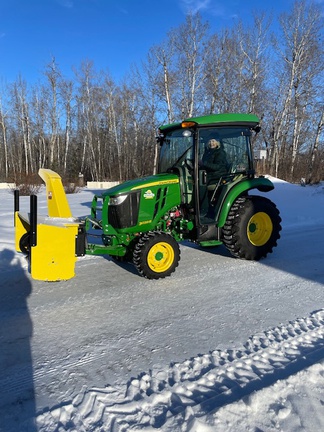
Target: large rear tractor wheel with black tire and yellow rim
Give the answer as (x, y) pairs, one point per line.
(252, 228)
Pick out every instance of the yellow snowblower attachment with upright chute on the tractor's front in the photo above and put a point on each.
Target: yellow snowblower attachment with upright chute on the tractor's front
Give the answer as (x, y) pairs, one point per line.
(50, 241)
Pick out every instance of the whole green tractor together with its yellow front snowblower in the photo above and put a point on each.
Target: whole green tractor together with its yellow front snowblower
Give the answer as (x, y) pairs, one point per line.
(202, 193)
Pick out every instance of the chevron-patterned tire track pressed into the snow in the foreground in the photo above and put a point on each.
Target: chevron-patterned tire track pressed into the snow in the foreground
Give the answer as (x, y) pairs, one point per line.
(173, 396)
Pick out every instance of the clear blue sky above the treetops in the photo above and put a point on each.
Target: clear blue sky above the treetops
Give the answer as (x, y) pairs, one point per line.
(112, 33)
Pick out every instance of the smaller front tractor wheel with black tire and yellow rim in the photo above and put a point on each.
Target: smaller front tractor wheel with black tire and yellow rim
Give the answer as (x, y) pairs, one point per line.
(156, 255)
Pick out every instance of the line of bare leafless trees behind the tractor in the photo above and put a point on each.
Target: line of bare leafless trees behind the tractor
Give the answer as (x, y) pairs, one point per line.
(106, 130)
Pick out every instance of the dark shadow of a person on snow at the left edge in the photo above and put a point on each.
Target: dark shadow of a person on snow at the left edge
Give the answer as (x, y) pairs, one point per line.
(17, 396)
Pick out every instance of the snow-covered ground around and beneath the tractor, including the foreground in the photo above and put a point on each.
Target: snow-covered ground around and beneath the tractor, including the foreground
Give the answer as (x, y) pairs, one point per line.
(221, 345)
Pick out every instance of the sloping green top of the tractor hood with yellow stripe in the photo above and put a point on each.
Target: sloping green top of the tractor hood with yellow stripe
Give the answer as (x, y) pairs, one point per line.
(142, 183)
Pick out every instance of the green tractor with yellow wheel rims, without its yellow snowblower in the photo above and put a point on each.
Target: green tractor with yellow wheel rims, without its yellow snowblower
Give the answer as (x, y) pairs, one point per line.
(144, 220)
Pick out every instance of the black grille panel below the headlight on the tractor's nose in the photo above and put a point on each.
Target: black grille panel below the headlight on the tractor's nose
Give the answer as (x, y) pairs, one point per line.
(126, 214)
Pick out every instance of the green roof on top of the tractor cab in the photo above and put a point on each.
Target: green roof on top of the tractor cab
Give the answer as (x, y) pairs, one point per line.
(235, 119)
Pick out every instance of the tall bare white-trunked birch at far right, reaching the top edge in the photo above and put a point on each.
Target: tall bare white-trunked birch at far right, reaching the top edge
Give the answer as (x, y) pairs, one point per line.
(303, 62)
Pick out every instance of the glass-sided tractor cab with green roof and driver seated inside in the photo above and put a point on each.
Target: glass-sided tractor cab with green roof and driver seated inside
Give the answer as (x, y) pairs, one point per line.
(210, 154)
